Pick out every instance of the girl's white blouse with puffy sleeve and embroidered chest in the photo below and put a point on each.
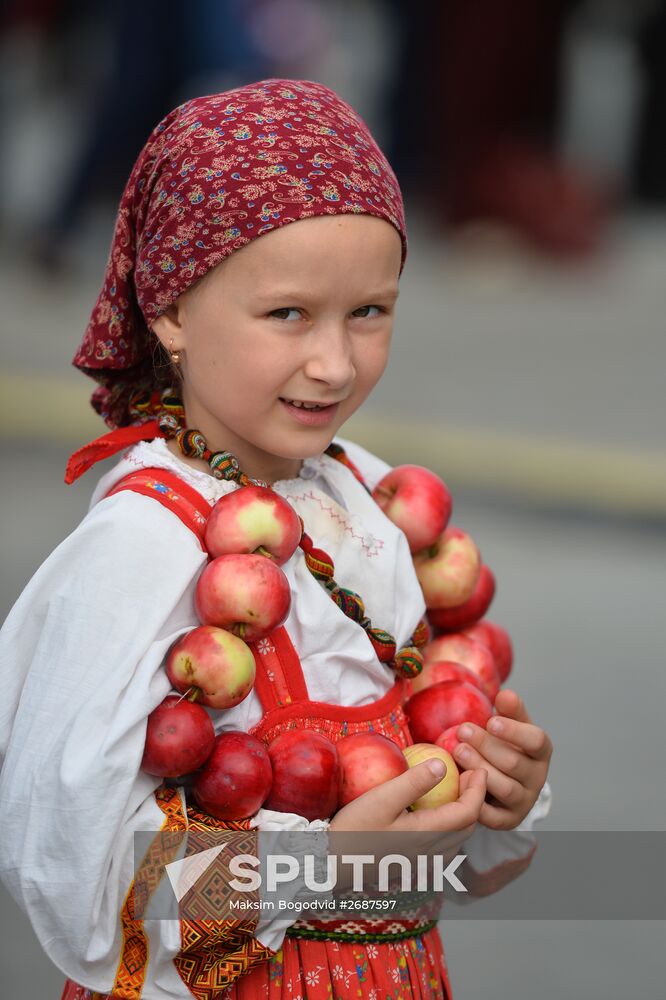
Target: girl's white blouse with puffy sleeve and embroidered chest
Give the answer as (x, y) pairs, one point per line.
(81, 667)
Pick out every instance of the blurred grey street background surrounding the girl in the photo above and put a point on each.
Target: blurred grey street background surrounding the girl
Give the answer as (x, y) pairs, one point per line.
(528, 366)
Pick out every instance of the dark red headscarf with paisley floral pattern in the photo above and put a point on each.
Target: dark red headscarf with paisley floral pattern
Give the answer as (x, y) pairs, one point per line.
(216, 173)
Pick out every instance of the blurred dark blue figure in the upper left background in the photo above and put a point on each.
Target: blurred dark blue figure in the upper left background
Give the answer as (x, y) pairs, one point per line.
(149, 66)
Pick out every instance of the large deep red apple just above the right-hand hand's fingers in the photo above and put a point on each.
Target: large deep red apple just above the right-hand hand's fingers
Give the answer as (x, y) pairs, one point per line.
(448, 703)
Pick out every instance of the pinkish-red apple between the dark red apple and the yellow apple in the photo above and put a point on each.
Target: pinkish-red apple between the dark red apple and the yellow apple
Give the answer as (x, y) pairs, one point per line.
(367, 759)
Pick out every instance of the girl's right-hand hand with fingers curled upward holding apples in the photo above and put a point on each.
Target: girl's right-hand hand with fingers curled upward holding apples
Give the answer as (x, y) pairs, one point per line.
(515, 754)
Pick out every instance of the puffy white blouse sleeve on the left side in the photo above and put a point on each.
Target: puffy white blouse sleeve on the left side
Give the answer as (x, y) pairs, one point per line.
(80, 667)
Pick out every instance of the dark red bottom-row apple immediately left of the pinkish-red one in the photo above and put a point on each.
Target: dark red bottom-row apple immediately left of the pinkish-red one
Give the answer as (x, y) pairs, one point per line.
(306, 774)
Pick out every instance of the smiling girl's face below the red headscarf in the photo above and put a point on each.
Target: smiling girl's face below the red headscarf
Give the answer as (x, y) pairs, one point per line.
(302, 315)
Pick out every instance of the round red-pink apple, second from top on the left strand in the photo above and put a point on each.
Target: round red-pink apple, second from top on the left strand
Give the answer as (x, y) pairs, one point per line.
(246, 594)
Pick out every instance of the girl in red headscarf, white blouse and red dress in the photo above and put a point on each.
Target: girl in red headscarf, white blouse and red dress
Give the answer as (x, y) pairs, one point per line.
(224, 358)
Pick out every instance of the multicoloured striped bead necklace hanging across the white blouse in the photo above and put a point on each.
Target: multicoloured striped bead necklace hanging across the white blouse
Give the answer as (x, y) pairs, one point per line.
(170, 413)
